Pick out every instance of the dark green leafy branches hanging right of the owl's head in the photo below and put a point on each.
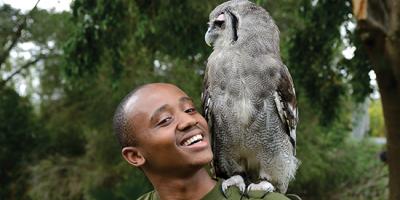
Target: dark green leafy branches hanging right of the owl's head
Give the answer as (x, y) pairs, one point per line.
(324, 74)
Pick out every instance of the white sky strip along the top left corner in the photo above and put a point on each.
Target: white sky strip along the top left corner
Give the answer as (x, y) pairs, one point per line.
(26, 5)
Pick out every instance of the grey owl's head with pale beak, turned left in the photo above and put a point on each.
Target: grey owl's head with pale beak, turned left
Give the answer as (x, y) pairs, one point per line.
(237, 21)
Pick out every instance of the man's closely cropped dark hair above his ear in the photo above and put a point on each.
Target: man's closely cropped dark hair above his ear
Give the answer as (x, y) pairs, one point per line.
(123, 127)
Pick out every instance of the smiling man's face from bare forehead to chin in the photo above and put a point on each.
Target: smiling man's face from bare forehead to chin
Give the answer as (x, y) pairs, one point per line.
(171, 135)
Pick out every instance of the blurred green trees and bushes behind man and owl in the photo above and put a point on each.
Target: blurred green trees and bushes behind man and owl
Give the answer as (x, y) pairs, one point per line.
(65, 65)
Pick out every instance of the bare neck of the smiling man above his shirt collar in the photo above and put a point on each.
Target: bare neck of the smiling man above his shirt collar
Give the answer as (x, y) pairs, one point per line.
(188, 188)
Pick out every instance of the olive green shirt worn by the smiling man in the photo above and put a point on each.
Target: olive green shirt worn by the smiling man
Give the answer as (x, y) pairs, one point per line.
(216, 194)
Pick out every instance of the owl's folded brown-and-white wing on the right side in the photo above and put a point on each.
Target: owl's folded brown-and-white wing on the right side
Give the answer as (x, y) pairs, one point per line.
(285, 100)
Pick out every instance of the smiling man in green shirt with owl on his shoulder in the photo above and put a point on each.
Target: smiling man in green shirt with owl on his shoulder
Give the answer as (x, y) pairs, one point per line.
(161, 133)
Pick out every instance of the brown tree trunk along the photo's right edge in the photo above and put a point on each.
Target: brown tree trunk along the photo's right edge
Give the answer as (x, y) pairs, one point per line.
(379, 29)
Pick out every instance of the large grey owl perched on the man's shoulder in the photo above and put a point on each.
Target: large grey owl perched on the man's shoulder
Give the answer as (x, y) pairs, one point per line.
(249, 100)
